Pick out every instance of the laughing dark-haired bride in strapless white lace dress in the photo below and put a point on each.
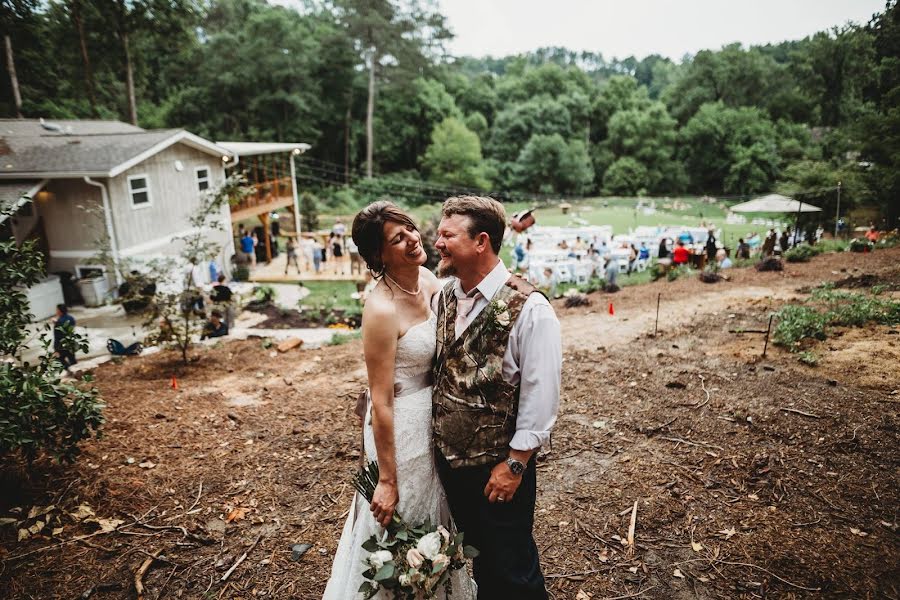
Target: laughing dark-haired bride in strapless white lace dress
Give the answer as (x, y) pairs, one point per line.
(399, 340)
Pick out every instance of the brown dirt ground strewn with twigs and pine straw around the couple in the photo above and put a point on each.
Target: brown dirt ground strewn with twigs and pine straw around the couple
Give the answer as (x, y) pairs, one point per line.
(752, 477)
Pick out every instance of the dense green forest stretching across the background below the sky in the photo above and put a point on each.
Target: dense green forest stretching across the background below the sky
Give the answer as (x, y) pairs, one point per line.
(371, 86)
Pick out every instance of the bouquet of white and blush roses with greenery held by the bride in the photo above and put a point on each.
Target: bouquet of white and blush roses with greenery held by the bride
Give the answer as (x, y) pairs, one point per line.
(411, 562)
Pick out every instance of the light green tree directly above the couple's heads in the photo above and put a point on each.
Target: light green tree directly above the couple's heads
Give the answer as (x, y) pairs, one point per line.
(454, 156)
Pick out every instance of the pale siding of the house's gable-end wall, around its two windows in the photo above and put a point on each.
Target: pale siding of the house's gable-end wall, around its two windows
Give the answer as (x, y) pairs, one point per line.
(174, 196)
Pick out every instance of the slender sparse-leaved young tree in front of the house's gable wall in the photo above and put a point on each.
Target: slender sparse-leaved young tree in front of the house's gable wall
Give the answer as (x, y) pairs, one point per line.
(173, 316)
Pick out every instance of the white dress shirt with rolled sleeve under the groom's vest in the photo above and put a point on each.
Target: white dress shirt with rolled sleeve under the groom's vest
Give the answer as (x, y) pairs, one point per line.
(533, 359)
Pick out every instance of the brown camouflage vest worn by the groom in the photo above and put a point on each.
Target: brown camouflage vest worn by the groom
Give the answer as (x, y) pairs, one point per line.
(474, 409)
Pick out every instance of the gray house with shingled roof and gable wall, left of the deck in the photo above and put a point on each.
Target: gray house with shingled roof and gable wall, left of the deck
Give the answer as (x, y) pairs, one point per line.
(72, 183)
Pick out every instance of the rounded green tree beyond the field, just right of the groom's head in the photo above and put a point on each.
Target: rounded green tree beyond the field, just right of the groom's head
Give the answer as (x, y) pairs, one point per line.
(549, 165)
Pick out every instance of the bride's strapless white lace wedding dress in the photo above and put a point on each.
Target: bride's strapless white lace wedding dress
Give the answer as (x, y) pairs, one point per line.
(421, 493)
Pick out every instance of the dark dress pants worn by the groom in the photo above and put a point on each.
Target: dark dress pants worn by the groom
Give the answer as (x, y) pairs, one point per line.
(508, 565)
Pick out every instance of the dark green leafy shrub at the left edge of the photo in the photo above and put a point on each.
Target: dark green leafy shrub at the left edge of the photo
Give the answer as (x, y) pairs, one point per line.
(39, 412)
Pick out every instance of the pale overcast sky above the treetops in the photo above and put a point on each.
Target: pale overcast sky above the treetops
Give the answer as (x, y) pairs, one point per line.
(619, 28)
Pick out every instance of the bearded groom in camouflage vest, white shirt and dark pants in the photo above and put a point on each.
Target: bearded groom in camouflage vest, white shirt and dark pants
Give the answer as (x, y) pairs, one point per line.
(496, 394)
